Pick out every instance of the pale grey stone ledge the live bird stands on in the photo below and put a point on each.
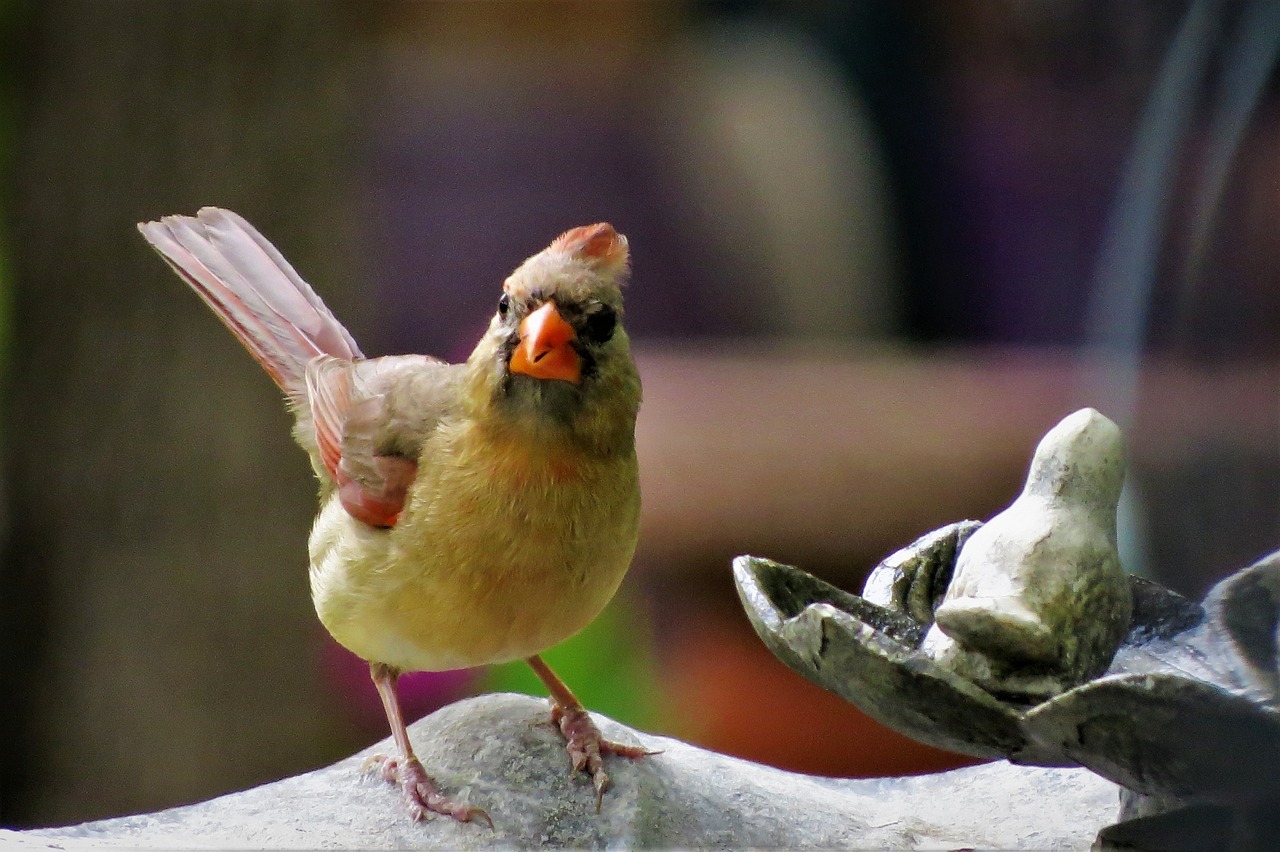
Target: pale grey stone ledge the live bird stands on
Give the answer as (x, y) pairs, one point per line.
(500, 753)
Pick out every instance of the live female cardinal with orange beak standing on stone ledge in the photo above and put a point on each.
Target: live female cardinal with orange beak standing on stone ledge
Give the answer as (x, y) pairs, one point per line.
(470, 514)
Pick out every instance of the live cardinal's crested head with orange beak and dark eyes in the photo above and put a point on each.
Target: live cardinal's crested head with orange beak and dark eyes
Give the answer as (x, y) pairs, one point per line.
(556, 358)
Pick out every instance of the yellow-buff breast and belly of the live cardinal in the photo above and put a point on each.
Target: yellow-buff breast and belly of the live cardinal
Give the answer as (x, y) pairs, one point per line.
(506, 548)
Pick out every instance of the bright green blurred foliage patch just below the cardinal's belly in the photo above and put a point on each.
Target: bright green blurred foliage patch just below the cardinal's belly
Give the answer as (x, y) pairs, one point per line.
(610, 667)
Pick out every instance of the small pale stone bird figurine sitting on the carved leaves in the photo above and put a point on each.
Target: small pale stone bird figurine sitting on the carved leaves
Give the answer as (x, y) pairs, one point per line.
(1039, 602)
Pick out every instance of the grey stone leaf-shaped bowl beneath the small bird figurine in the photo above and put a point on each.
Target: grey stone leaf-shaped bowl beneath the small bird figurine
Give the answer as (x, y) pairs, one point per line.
(1187, 714)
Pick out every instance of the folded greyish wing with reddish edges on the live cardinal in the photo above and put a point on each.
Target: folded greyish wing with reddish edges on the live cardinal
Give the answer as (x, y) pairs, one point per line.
(371, 422)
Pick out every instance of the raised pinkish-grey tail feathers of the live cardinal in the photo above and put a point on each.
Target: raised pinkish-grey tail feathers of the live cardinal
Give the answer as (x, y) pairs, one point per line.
(254, 291)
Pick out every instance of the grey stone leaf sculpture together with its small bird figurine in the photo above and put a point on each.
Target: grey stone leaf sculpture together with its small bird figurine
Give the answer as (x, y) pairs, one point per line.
(1180, 703)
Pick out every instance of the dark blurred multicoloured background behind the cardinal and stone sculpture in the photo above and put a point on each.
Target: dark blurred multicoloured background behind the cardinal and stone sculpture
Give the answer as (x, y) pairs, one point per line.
(880, 249)
